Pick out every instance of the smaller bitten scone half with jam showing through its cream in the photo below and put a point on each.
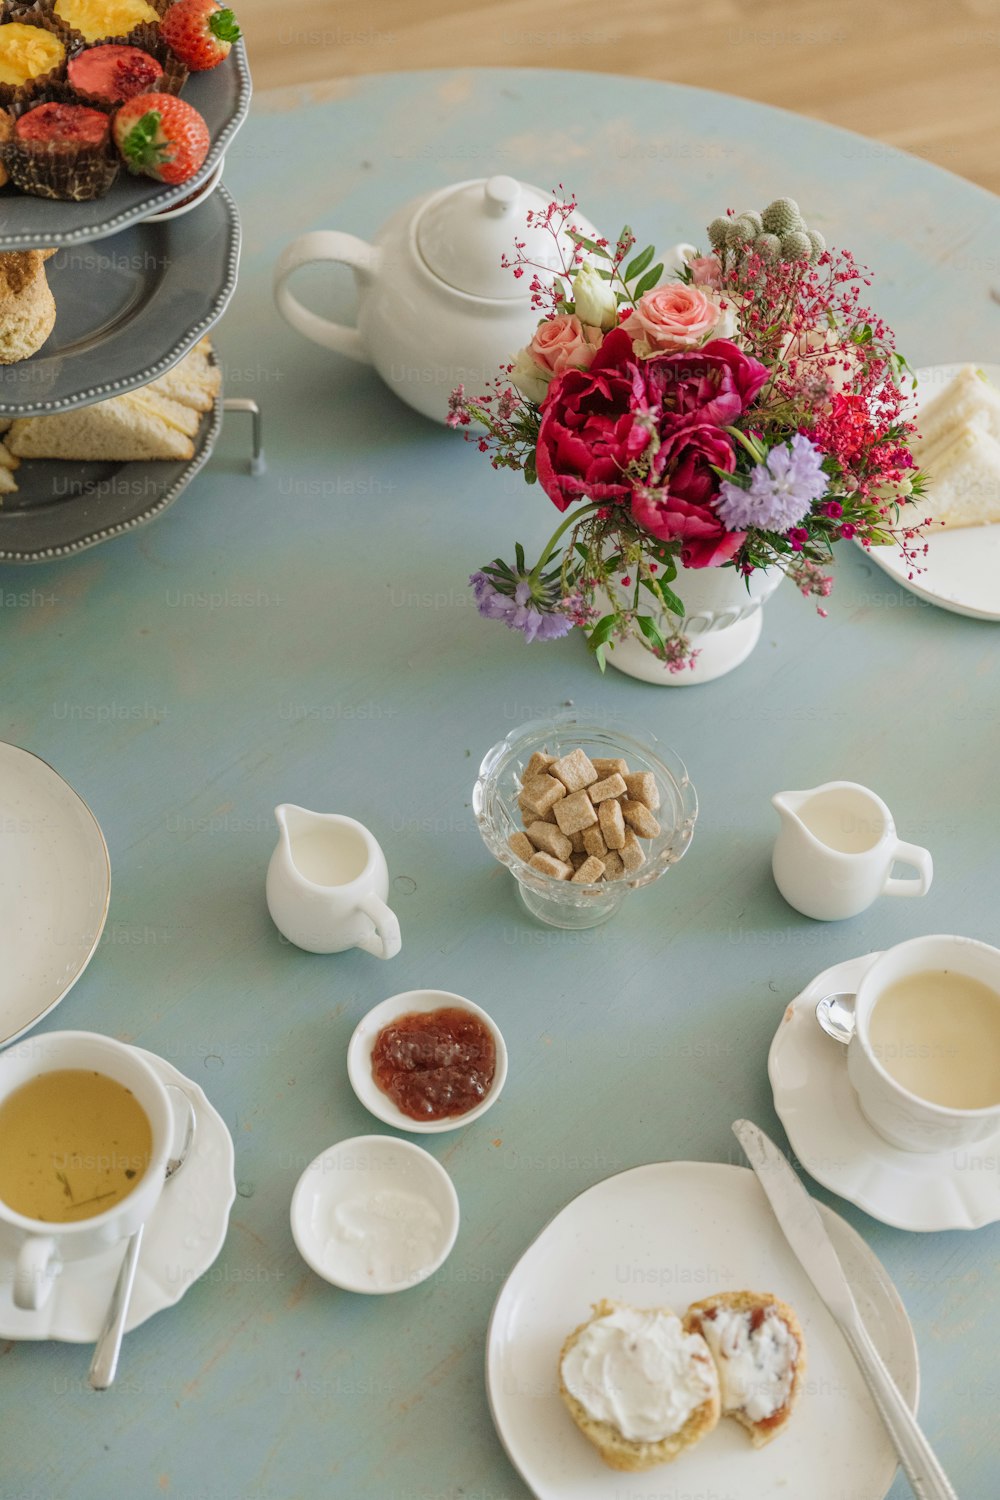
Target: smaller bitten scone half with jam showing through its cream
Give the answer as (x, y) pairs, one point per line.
(759, 1351)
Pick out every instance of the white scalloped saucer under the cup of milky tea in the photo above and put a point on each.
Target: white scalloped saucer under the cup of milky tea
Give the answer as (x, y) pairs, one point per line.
(837, 1145)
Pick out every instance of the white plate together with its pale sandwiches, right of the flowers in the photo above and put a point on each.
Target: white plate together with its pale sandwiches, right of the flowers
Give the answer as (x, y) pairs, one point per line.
(956, 559)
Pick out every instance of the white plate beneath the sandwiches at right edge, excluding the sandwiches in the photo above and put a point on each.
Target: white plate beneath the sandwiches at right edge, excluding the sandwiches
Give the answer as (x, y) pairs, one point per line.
(962, 569)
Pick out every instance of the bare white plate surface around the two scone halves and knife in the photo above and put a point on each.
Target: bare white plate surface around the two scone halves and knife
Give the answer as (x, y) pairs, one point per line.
(668, 1235)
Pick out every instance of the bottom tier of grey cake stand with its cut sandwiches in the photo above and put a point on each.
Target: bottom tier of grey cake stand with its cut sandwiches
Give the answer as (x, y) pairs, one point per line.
(74, 479)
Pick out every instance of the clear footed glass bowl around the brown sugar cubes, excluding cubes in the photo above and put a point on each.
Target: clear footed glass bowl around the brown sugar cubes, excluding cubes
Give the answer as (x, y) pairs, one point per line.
(564, 902)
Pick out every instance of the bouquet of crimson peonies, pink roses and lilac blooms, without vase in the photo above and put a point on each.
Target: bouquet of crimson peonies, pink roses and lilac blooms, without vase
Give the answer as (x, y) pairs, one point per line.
(746, 412)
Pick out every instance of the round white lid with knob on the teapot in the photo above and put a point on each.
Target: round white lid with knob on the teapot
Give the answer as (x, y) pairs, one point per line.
(464, 232)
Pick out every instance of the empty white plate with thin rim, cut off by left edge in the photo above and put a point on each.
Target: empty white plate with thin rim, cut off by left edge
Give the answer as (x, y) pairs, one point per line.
(55, 889)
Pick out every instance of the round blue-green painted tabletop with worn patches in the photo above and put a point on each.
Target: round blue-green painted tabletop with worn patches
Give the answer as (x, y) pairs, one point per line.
(310, 637)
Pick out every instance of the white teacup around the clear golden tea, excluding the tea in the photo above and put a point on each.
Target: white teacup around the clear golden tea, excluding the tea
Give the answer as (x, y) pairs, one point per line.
(35, 1250)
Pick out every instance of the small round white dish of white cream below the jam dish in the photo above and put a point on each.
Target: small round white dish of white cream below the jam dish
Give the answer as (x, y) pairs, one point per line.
(376, 1214)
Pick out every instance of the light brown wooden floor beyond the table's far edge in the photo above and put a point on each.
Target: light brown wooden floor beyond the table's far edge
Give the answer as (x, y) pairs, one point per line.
(920, 76)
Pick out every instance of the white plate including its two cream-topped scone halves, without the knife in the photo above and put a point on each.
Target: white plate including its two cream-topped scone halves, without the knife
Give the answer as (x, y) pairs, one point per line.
(662, 1327)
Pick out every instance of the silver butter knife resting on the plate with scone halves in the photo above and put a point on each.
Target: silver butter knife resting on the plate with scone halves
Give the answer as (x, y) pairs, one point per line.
(803, 1228)
